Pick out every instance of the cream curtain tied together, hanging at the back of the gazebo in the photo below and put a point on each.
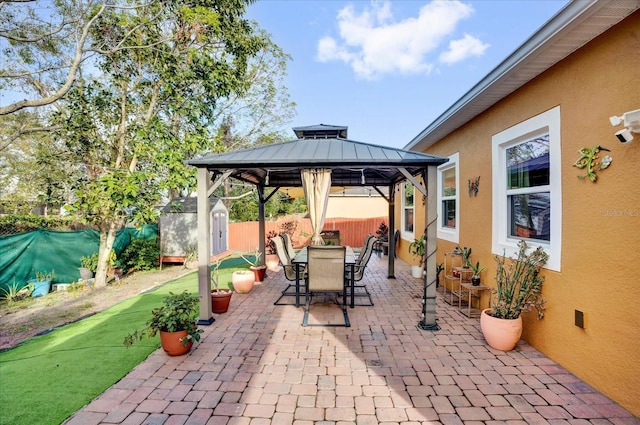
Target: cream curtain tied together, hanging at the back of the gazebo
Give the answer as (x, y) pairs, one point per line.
(317, 185)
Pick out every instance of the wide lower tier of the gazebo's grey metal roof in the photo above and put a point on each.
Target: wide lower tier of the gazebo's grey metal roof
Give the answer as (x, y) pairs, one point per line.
(279, 165)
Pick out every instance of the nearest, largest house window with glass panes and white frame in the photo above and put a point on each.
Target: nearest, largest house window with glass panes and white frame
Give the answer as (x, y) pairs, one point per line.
(527, 197)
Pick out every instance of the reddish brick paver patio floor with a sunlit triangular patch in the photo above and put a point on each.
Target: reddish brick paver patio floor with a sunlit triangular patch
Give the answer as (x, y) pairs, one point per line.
(256, 365)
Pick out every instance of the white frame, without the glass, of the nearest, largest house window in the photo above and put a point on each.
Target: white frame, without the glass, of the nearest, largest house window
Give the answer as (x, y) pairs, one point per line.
(502, 242)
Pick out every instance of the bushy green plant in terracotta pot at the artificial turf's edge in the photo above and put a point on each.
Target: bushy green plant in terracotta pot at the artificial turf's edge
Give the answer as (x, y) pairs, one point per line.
(175, 321)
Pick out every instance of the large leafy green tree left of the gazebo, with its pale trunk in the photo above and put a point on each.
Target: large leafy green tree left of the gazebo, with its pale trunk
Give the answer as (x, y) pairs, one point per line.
(131, 91)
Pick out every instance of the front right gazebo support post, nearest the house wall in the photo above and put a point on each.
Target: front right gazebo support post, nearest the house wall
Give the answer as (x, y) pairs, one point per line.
(428, 321)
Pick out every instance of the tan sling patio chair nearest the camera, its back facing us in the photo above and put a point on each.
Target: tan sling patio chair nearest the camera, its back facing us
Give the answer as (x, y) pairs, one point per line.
(326, 266)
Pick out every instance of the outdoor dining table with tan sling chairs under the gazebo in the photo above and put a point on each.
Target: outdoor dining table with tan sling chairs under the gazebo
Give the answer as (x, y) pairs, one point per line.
(322, 269)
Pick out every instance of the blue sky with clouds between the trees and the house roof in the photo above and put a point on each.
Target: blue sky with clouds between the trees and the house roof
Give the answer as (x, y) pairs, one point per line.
(387, 69)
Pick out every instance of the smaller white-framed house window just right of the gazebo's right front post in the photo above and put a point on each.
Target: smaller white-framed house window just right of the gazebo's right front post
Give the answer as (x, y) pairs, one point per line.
(448, 193)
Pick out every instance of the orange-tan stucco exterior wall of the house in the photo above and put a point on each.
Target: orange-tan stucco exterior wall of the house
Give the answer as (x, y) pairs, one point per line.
(600, 221)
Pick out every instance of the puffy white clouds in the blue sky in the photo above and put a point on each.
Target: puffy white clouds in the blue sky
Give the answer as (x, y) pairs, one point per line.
(374, 44)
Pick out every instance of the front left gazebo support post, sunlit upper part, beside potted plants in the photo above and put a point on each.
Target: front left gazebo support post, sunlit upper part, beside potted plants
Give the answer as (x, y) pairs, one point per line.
(204, 248)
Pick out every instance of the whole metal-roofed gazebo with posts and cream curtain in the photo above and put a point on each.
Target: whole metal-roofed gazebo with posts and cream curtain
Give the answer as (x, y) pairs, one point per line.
(322, 157)
